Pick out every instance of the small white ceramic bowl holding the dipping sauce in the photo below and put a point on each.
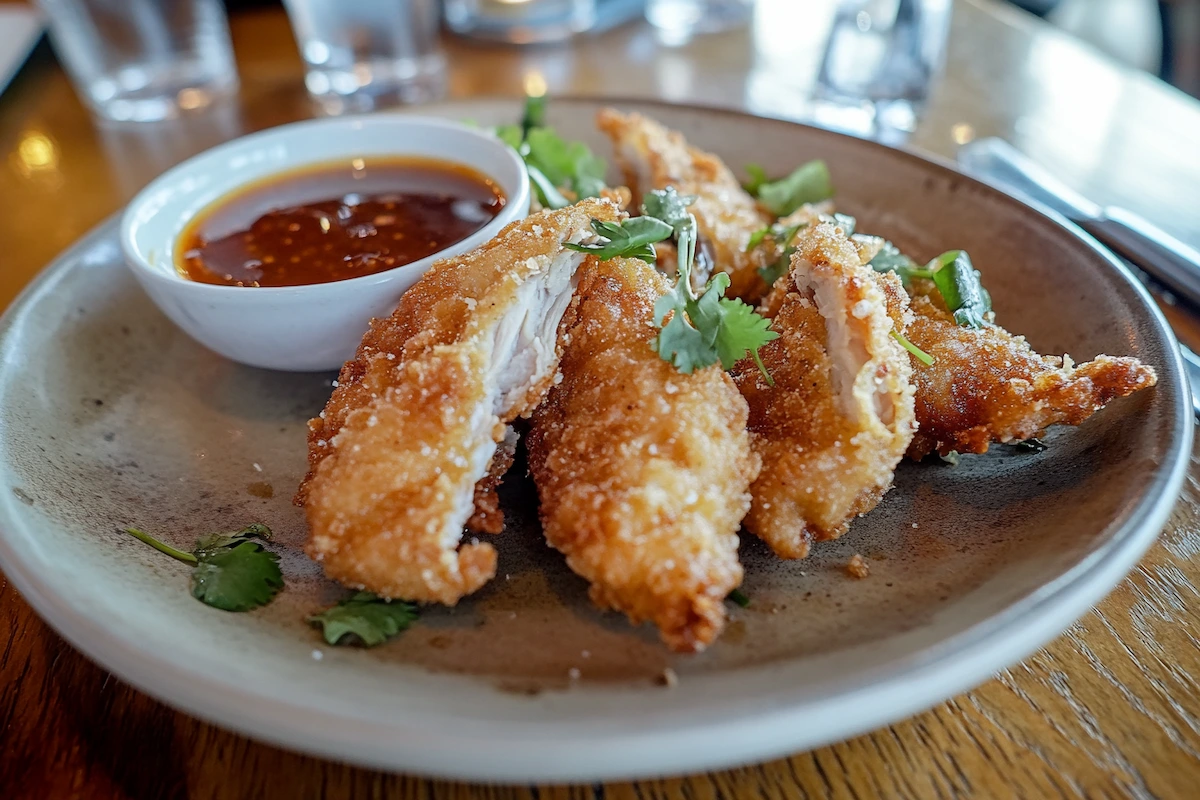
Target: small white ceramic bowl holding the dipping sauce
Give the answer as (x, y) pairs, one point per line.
(302, 328)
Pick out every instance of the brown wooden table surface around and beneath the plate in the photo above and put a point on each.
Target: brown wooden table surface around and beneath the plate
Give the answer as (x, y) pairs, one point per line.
(1111, 709)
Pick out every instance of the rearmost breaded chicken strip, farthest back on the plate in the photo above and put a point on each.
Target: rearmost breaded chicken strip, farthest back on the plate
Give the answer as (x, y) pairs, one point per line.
(653, 158)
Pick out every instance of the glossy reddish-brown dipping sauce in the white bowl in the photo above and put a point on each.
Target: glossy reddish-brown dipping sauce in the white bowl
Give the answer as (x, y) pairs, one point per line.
(337, 221)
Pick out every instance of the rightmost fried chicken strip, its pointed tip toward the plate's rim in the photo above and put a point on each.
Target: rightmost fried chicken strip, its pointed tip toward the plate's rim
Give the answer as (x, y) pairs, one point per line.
(988, 386)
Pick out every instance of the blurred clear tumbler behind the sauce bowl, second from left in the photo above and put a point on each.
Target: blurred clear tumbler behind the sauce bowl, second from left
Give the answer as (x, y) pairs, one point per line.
(367, 55)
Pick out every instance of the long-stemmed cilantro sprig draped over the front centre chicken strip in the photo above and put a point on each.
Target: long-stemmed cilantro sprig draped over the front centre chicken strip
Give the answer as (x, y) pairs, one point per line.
(709, 328)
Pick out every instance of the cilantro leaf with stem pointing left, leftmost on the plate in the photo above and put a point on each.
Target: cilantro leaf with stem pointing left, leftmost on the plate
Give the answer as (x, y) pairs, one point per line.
(230, 572)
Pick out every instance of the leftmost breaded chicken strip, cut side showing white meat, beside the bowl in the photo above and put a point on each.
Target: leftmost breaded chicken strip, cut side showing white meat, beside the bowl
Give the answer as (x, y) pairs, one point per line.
(417, 416)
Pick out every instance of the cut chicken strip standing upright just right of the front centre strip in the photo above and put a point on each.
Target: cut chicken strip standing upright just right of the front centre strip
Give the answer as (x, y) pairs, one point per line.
(841, 416)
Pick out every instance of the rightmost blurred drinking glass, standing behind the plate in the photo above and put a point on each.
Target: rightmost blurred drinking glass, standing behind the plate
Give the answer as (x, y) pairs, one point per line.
(879, 63)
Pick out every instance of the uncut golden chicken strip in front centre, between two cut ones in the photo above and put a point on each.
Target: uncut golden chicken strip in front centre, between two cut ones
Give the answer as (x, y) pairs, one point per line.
(643, 472)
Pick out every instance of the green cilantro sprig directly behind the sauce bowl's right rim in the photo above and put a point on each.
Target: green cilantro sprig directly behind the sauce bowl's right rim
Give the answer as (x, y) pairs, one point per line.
(553, 163)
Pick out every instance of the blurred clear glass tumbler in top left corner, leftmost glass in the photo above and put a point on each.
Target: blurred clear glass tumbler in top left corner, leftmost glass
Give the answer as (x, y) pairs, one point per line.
(145, 59)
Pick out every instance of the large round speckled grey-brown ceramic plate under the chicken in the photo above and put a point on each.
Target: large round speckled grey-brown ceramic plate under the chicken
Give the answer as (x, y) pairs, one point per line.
(110, 417)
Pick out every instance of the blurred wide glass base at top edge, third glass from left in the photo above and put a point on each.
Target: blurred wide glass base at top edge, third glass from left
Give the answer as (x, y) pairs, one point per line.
(521, 22)
